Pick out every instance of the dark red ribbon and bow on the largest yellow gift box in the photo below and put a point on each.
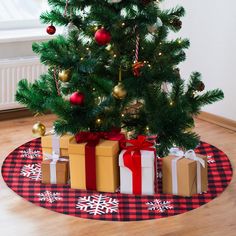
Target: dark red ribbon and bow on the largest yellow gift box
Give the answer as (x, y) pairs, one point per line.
(92, 139)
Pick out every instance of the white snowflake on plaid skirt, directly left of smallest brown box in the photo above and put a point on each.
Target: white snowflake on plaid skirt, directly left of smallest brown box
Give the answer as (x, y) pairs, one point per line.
(32, 171)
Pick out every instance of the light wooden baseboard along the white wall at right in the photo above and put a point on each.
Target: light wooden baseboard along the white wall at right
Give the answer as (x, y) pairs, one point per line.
(218, 120)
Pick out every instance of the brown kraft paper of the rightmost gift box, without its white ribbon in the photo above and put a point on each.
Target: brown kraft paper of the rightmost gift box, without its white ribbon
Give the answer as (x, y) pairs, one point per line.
(186, 176)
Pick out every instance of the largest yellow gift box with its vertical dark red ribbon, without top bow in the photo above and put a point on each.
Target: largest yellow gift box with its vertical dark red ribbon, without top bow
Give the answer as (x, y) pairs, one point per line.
(94, 165)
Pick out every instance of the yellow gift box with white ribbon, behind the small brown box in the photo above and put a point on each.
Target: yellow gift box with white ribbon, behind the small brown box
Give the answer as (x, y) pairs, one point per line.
(57, 144)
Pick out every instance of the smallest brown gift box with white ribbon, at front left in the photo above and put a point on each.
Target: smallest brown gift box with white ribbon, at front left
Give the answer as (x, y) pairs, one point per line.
(55, 171)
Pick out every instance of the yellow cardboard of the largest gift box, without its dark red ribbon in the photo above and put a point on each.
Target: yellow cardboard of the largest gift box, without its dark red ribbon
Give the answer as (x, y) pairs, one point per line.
(107, 169)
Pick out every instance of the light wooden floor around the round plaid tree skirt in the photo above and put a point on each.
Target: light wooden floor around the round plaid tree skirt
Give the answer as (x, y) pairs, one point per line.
(19, 217)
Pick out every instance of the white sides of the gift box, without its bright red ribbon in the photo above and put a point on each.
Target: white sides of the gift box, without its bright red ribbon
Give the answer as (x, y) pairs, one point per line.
(148, 174)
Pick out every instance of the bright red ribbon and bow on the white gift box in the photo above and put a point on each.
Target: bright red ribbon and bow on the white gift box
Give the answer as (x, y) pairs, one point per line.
(133, 160)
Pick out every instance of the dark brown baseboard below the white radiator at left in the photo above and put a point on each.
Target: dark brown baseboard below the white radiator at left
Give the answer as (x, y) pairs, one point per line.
(14, 113)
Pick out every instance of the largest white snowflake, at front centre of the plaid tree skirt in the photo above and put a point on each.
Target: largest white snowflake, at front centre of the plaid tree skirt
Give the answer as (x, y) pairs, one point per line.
(97, 204)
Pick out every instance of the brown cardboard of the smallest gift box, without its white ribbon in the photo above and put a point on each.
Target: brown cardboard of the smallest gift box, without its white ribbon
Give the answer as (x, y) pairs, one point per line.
(62, 172)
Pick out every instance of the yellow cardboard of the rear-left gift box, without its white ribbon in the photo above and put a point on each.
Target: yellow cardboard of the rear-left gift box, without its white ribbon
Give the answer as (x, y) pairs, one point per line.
(46, 142)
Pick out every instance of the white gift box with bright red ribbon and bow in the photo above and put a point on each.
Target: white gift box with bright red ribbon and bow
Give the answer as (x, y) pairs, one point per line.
(138, 167)
